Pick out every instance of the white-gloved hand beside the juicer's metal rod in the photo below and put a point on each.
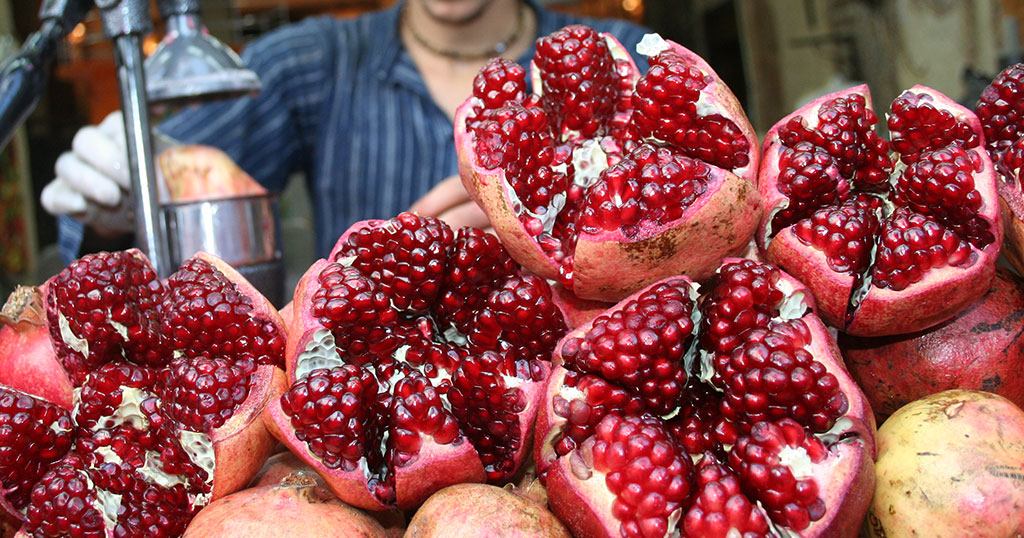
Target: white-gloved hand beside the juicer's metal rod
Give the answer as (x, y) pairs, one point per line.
(93, 181)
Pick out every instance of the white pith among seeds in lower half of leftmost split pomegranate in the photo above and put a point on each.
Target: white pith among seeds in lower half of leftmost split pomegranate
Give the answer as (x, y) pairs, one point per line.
(198, 446)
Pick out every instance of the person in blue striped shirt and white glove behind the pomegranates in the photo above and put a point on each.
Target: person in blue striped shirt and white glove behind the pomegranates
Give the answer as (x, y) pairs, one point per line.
(363, 106)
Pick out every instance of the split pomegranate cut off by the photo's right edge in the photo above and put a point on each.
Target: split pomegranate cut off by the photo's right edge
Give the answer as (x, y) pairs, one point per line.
(1001, 110)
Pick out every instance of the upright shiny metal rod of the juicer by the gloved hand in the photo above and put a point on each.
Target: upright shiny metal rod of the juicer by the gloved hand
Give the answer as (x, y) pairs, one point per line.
(151, 235)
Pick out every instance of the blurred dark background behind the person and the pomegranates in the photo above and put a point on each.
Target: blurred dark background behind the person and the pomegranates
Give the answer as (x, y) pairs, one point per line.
(776, 55)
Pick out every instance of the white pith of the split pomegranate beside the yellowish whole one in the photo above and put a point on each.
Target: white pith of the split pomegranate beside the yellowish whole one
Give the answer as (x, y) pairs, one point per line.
(794, 306)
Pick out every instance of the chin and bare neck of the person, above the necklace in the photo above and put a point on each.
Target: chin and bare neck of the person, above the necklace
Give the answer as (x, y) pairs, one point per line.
(470, 31)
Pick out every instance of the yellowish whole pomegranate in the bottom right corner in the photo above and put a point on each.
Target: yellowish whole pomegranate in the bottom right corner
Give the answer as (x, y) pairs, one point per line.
(950, 466)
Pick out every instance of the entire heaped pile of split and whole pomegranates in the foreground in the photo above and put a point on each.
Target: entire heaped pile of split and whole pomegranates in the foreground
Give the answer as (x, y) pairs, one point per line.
(678, 328)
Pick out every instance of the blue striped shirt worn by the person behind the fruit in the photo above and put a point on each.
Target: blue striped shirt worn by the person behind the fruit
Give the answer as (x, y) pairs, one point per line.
(344, 103)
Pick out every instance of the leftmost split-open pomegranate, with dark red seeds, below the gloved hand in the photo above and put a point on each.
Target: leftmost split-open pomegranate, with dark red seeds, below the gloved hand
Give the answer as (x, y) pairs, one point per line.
(170, 381)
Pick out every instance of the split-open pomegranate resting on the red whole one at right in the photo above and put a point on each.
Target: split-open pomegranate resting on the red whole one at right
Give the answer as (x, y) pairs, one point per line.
(891, 236)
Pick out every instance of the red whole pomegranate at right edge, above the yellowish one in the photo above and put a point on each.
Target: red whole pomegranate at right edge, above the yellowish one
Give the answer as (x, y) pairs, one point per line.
(979, 350)
